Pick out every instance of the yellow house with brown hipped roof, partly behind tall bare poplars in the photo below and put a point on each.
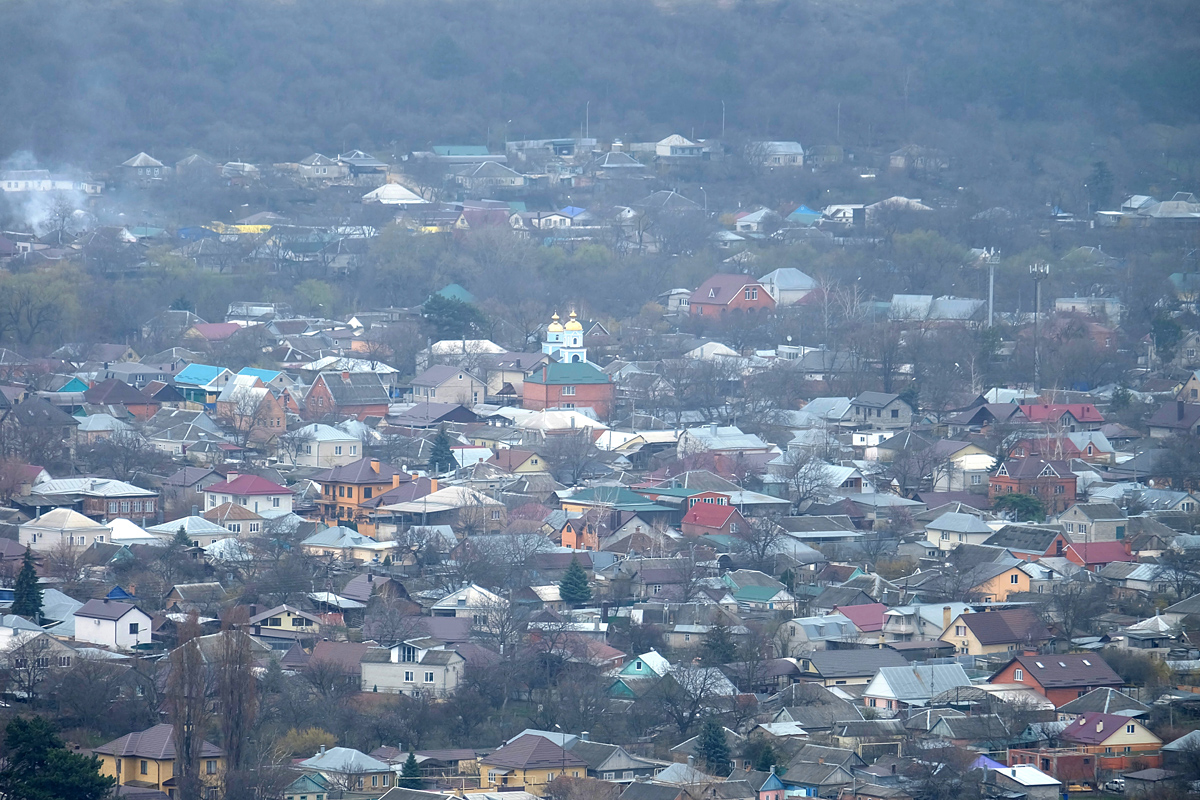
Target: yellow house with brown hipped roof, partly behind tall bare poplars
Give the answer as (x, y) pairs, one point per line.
(147, 760)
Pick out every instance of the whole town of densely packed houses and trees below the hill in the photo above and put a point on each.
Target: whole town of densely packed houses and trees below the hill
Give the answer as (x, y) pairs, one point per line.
(535, 470)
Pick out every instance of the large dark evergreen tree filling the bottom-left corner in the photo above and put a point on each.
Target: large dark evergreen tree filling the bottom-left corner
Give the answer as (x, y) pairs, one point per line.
(40, 768)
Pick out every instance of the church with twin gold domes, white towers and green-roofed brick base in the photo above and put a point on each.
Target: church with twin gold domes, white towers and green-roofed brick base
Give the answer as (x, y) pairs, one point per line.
(571, 381)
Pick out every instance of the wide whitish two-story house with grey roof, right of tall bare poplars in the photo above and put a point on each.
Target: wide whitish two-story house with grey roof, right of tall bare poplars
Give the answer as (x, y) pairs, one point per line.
(422, 667)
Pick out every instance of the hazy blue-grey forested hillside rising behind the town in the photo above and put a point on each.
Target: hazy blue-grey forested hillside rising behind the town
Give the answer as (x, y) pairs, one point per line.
(992, 81)
